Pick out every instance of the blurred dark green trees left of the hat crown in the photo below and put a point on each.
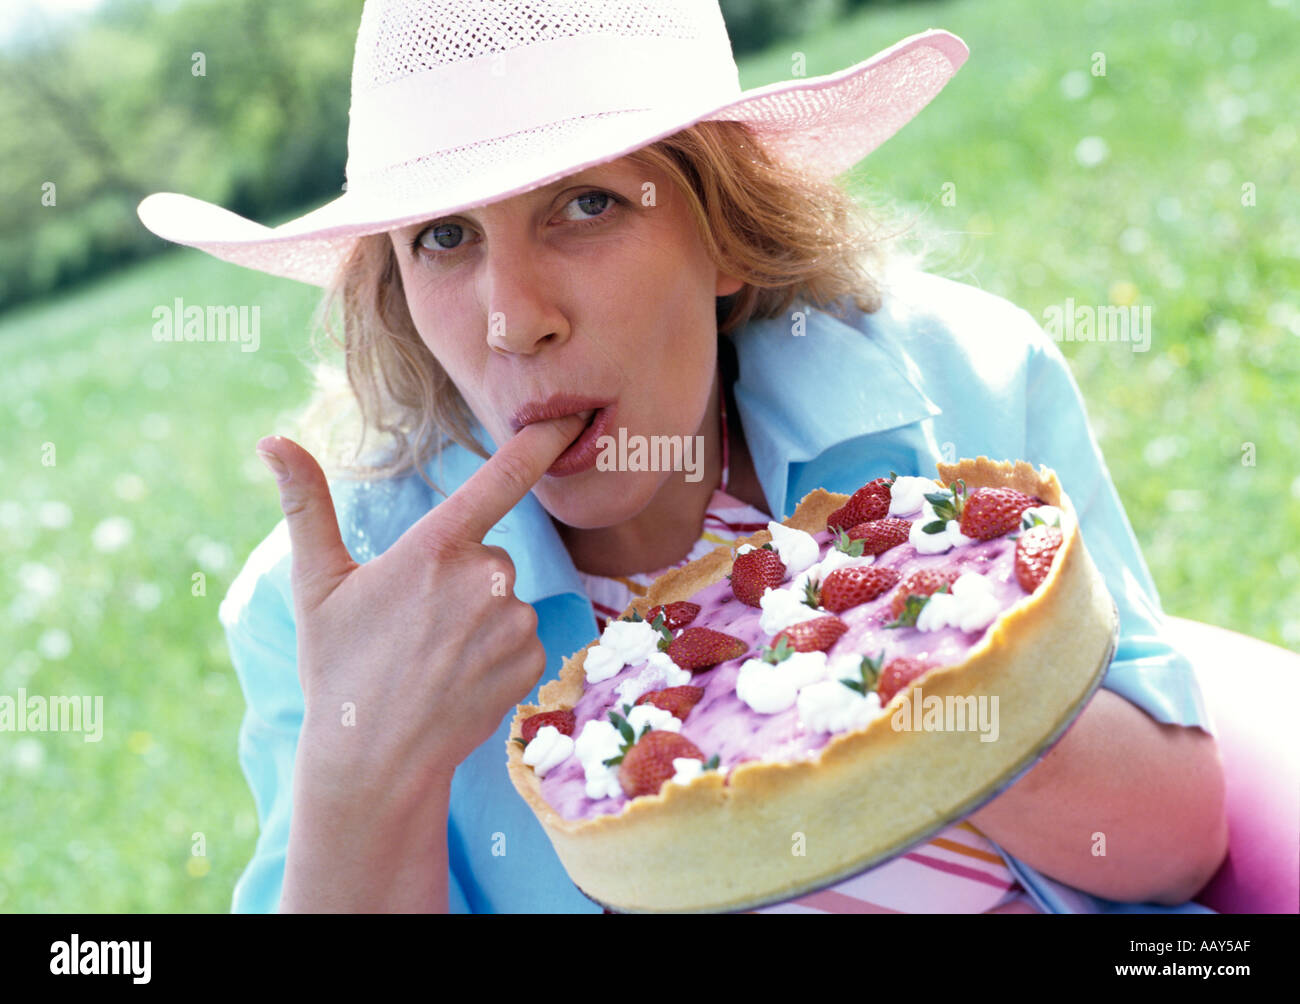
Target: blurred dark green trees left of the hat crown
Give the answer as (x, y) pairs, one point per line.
(114, 111)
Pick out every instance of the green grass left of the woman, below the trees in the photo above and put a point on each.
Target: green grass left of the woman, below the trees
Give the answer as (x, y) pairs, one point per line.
(161, 436)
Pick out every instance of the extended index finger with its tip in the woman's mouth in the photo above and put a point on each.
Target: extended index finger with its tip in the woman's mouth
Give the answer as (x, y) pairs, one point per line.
(505, 479)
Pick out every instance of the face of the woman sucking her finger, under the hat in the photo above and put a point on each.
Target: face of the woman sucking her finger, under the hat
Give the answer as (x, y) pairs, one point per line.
(596, 287)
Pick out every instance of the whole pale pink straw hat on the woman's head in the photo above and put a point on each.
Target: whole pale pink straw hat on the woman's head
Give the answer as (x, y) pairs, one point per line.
(461, 103)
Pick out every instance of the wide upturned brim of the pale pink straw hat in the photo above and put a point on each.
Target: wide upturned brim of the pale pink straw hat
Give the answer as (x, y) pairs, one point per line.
(821, 125)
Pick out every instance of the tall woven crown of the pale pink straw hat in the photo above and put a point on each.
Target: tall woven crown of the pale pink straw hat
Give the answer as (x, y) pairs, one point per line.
(536, 64)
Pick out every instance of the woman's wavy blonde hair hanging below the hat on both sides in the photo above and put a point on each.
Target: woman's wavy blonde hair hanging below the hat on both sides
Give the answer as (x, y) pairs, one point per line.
(785, 235)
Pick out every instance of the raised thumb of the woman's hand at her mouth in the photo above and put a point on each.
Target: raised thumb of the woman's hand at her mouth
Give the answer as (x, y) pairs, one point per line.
(320, 559)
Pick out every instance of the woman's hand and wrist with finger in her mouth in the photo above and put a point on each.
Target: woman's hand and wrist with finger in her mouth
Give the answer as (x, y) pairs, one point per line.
(408, 664)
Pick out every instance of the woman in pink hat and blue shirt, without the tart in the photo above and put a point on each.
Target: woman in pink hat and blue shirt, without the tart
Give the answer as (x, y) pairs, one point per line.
(561, 227)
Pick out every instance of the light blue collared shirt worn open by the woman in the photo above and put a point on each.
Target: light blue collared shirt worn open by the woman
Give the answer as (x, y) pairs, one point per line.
(942, 371)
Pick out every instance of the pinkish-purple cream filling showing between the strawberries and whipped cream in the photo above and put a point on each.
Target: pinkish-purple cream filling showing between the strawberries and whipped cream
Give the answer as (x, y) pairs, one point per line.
(725, 725)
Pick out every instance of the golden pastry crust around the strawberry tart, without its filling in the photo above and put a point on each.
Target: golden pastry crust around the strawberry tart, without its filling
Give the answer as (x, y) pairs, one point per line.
(731, 842)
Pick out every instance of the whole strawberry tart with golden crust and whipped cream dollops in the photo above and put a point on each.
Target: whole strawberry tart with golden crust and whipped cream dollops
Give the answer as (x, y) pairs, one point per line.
(779, 716)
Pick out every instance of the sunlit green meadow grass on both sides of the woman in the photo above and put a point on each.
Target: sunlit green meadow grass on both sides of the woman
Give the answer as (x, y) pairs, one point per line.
(1195, 102)
